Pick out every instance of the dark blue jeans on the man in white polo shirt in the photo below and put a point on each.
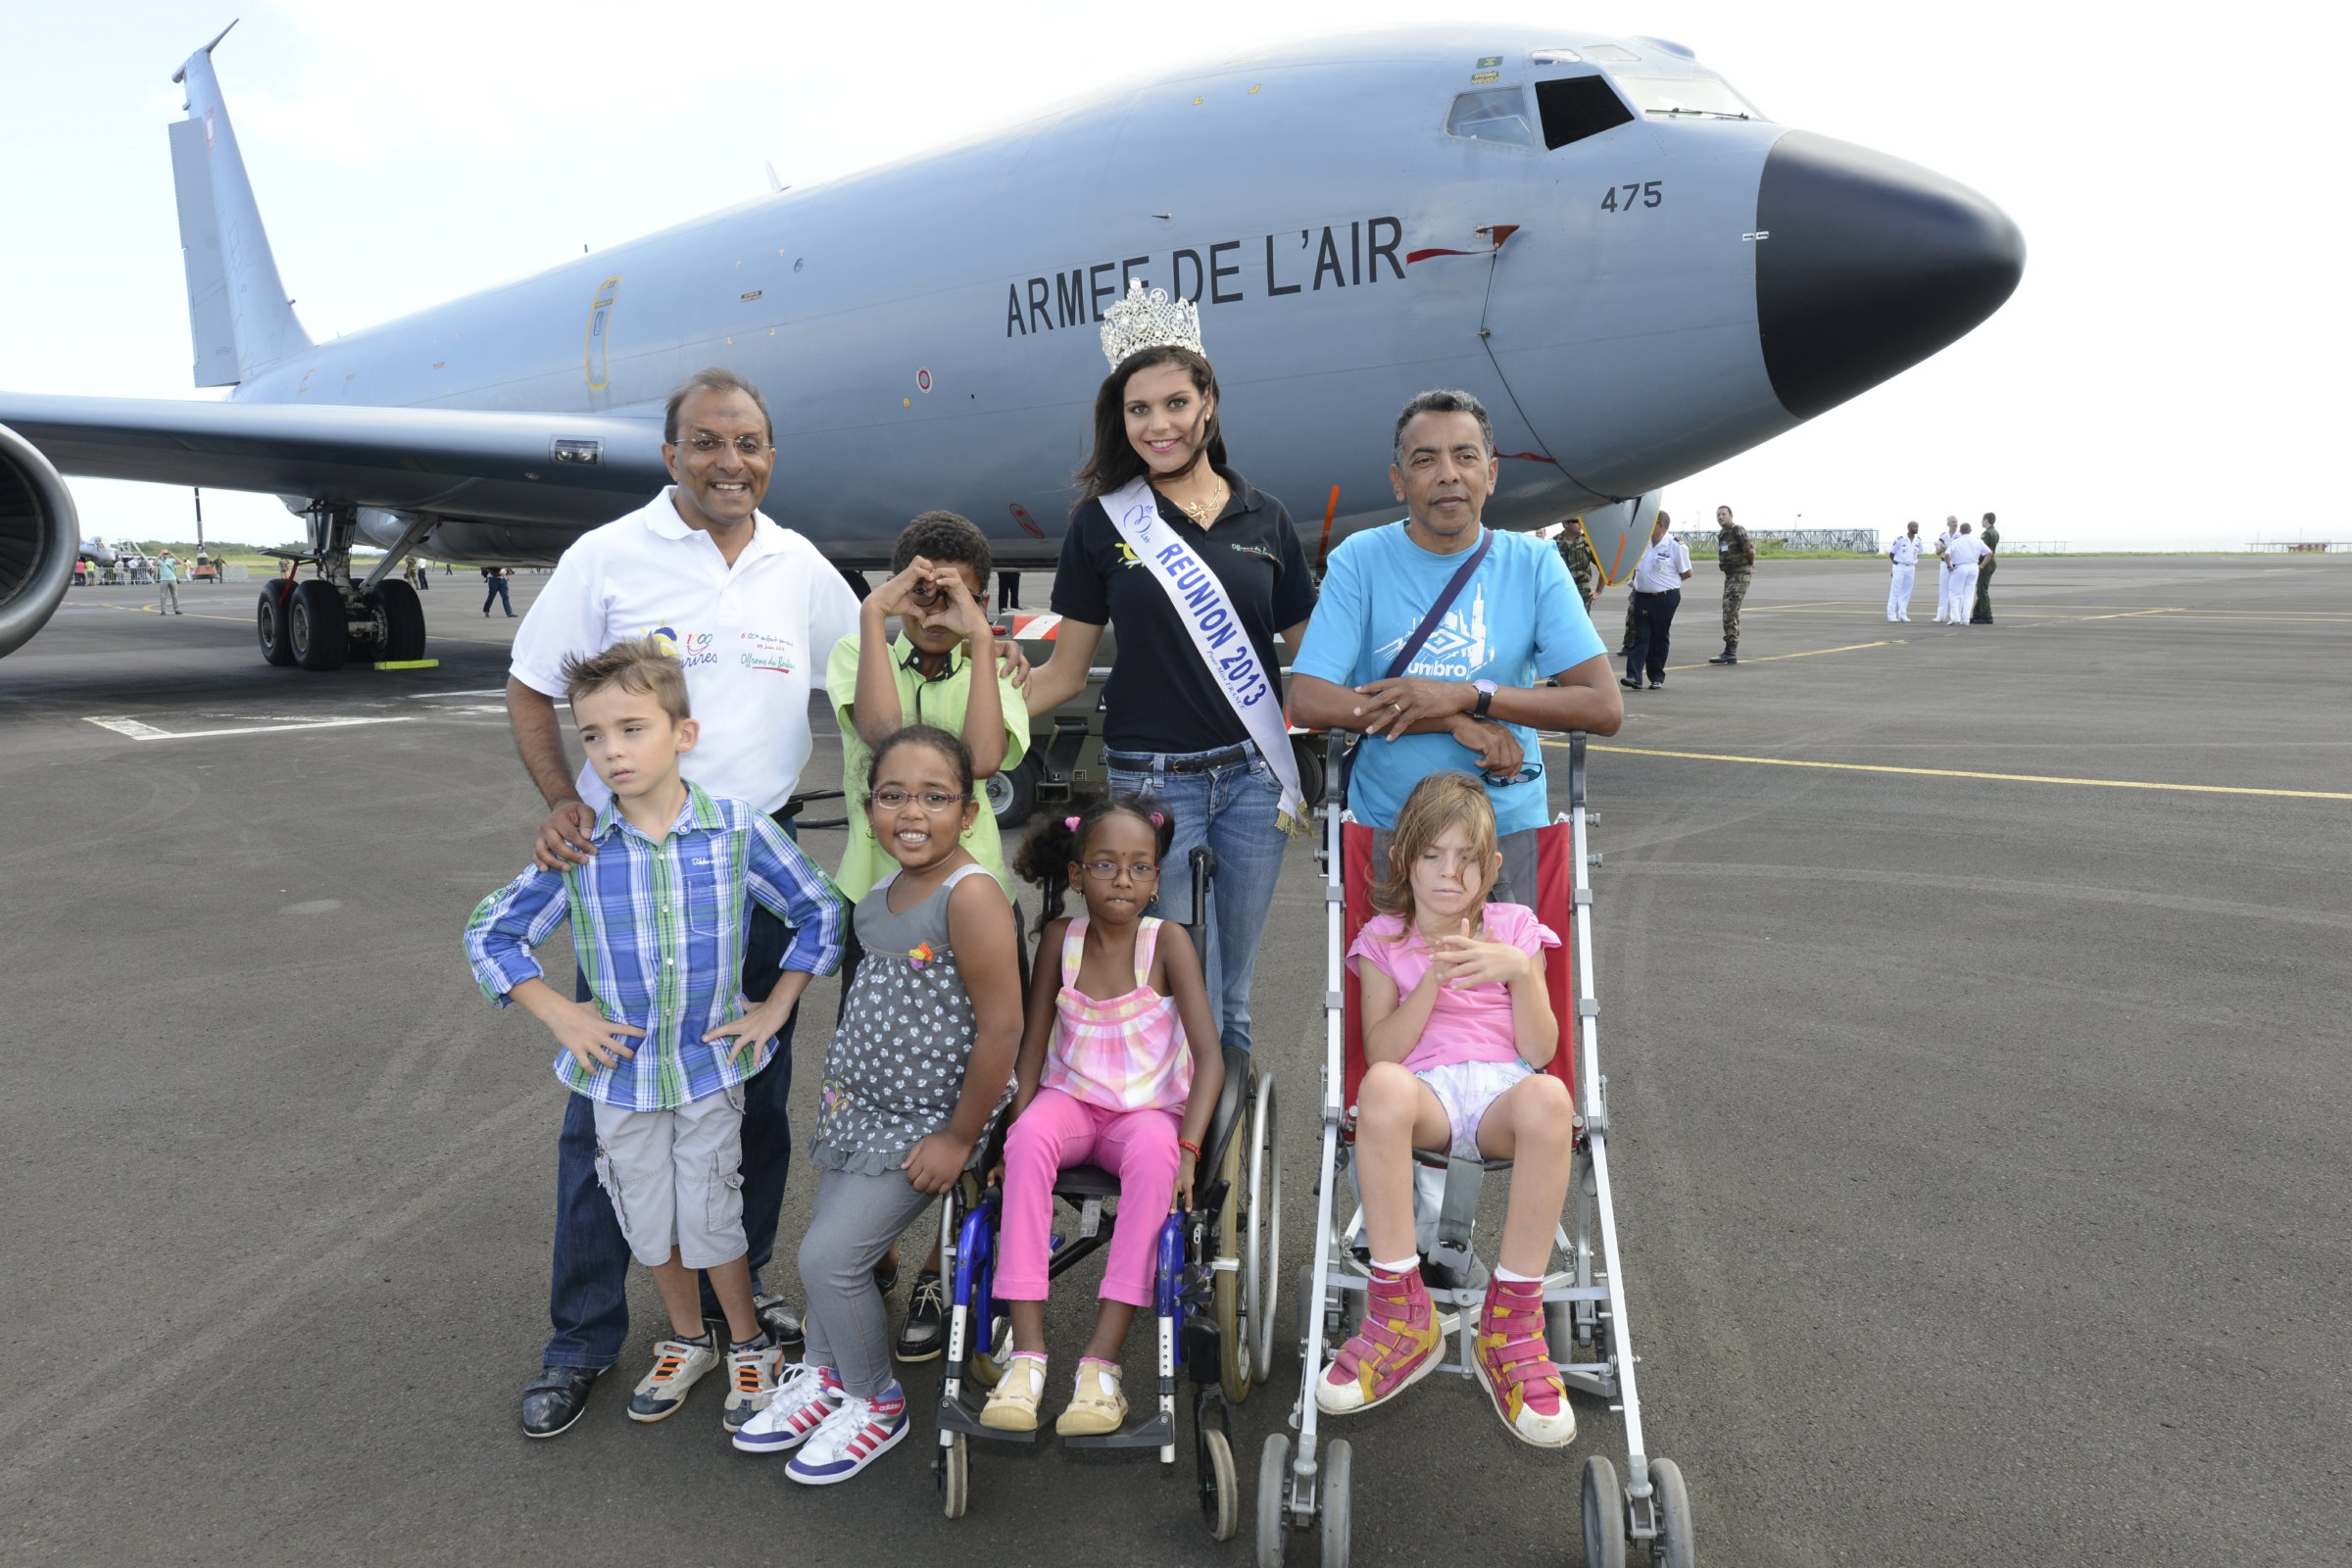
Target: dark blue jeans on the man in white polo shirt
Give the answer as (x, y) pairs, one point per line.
(589, 1292)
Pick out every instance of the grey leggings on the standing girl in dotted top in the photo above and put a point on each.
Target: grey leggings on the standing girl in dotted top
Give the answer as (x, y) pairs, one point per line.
(853, 1226)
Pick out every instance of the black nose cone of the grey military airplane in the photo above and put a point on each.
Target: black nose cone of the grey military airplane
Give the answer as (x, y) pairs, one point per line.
(1871, 267)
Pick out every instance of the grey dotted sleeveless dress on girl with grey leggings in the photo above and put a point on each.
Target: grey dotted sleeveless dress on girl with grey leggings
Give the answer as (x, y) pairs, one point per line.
(897, 1064)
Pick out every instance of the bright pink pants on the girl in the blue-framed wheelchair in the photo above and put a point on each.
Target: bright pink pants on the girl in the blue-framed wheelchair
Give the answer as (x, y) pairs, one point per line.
(1057, 1132)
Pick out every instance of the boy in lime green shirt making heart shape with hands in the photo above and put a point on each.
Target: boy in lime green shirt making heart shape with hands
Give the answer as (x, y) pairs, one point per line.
(940, 572)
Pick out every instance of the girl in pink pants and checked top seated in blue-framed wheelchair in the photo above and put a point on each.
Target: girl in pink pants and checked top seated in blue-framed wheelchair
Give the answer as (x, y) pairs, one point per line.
(1121, 1068)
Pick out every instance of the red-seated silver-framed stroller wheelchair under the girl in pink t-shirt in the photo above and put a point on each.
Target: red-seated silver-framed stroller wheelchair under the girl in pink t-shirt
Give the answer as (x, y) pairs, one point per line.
(1586, 1322)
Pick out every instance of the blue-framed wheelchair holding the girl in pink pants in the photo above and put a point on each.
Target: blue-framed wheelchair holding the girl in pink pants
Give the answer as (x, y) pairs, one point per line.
(1212, 1289)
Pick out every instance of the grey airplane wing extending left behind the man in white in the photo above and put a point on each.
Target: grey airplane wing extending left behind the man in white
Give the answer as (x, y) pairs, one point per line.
(561, 471)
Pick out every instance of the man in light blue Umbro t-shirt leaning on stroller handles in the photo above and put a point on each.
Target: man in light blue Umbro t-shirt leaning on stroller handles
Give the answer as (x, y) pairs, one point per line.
(1471, 699)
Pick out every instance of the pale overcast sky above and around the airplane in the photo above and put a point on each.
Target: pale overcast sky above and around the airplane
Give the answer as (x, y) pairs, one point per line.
(2165, 377)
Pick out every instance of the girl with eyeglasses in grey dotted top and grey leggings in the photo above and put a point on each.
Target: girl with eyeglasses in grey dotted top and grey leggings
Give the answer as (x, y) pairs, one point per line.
(914, 1080)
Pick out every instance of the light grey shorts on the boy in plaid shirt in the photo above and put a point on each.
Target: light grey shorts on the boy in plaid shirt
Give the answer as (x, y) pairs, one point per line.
(676, 1179)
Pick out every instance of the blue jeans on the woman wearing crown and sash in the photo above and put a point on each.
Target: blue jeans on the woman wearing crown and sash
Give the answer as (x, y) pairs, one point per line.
(1231, 810)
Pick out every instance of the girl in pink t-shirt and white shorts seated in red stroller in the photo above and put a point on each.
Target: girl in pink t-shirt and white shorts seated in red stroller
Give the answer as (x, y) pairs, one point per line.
(1457, 1031)
